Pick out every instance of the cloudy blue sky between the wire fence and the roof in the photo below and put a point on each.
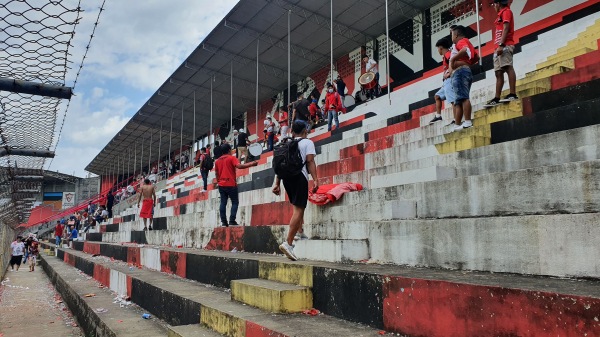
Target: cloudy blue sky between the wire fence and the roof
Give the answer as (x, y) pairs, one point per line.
(137, 45)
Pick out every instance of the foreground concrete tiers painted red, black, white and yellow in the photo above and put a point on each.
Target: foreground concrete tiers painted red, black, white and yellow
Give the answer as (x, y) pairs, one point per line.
(350, 297)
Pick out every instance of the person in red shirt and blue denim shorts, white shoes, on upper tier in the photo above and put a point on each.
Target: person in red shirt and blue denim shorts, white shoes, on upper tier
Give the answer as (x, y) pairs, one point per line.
(462, 56)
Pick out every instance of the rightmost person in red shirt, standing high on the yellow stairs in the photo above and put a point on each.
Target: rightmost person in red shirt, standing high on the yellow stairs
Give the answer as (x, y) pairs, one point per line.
(503, 55)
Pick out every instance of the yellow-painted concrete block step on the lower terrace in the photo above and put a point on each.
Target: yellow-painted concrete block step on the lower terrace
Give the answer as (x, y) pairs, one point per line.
(272, 296)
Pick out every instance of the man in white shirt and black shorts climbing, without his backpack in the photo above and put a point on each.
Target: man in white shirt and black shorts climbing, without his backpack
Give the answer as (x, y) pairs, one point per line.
(297, 188)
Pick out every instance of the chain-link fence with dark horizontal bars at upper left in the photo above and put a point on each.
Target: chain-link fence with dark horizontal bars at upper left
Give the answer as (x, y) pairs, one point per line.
(35, 37)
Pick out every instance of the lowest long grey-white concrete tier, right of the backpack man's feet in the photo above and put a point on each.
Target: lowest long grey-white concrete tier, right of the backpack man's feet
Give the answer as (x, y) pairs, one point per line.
(553, 244)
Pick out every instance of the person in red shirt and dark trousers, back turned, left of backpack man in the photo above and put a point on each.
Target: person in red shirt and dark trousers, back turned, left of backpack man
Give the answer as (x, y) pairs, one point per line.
(225, 168)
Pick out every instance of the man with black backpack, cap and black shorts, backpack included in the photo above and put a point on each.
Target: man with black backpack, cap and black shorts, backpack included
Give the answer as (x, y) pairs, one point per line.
(292, 162)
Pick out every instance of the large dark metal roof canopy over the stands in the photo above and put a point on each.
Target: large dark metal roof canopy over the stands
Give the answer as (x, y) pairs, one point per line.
(233, 42)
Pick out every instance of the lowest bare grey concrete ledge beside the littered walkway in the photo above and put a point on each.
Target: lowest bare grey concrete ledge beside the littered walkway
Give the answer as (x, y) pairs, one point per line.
(116, 321)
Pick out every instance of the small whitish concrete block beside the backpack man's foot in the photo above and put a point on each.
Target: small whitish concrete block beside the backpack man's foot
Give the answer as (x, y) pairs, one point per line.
(332, 250)
